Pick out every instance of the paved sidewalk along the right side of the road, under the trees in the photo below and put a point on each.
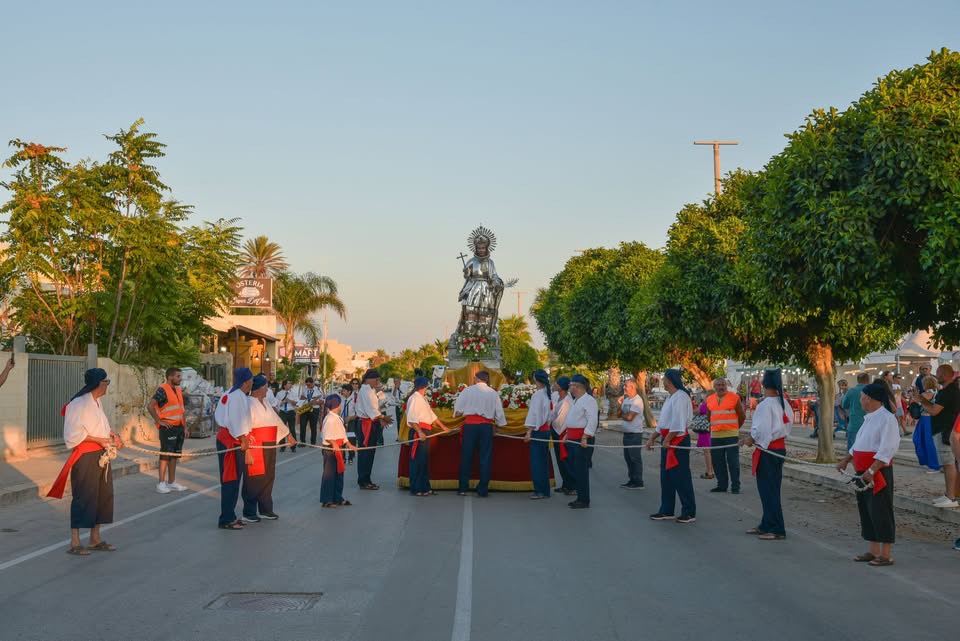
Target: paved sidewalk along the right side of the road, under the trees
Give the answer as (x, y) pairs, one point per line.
(915, 487)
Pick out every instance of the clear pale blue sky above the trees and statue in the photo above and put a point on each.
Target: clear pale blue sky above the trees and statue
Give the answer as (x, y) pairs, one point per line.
(368, 138)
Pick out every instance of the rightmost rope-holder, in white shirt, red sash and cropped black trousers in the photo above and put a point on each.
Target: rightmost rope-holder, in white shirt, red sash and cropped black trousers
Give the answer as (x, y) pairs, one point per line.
(872, 455)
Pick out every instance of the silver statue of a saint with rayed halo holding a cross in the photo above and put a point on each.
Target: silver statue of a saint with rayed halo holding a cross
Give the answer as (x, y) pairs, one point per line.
(482, 288)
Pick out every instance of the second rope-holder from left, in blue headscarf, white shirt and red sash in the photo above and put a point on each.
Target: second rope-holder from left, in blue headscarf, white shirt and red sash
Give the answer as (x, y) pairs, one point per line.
(233, 415)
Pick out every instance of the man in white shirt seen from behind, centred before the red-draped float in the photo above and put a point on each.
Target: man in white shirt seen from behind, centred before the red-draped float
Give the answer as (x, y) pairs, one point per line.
(481, 407)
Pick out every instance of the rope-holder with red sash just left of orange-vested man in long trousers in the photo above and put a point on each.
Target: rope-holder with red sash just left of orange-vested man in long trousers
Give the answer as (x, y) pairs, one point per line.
(675, 479)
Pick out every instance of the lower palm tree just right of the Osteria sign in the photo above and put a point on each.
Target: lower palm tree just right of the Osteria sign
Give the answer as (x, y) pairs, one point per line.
(297, 298)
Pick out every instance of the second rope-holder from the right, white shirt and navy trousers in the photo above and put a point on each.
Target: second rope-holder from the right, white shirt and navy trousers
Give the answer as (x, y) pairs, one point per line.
(768, 432)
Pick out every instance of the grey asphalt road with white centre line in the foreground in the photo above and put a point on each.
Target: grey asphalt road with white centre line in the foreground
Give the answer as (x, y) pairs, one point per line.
(394, 567)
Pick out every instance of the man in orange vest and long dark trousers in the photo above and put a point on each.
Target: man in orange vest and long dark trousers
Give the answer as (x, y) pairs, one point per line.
(725, 410)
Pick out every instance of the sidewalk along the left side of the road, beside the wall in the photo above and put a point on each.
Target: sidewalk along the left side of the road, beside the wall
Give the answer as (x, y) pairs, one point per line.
(32, 477)
